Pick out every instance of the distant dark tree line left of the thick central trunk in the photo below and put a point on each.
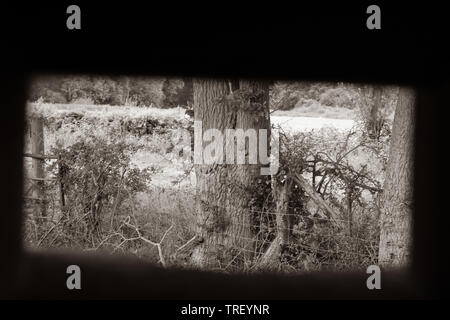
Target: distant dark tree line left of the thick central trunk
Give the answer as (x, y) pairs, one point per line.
(112, 90)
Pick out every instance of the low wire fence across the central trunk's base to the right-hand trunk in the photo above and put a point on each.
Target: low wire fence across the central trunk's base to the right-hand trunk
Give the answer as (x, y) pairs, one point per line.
(331, 242)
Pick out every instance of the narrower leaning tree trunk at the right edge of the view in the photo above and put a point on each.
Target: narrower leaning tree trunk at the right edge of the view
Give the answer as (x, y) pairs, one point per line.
(397, 199)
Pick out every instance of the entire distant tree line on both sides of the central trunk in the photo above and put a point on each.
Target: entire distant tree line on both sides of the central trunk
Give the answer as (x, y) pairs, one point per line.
(165, 92)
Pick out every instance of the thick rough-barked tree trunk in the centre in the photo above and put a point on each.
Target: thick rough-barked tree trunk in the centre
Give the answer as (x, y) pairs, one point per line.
(224, 189)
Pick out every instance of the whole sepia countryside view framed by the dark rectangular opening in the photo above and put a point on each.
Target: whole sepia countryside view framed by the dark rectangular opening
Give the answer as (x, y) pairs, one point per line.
(224, 175)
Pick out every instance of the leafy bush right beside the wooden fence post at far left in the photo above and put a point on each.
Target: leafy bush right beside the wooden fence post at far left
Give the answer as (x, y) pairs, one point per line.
(97, 180)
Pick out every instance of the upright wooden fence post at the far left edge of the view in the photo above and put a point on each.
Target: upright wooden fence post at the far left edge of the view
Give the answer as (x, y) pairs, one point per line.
(37, 148)
